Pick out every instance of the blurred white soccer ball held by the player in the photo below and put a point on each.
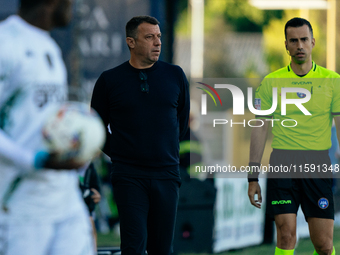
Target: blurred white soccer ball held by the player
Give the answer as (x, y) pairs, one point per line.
(74, 131)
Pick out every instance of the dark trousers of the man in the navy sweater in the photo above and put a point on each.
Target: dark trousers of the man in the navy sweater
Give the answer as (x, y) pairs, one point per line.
(147, 212)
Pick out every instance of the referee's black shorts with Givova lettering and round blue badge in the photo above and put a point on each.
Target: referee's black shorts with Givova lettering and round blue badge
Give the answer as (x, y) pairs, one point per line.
(286, 191)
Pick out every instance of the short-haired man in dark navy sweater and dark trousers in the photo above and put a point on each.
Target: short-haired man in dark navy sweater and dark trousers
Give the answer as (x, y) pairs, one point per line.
(145, 102)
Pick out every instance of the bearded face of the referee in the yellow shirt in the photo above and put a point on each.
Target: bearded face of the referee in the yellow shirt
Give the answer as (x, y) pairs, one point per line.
(299, 43)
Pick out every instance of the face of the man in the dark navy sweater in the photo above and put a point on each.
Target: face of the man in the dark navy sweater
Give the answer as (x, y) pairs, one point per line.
(147, 45)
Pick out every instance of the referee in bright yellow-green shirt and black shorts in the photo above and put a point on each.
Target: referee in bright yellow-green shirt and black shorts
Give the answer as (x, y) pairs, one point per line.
(303, 146)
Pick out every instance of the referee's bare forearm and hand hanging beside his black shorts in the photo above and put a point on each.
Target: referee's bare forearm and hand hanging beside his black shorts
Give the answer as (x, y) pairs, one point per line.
(257, 143)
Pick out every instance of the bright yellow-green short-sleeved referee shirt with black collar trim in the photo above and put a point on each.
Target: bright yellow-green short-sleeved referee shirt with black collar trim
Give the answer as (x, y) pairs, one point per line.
(312, 132)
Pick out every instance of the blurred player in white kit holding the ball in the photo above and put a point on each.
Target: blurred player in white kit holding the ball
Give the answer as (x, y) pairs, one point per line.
(42, 211)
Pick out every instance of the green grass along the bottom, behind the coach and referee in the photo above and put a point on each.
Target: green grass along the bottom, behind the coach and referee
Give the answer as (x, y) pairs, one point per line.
(304, 247)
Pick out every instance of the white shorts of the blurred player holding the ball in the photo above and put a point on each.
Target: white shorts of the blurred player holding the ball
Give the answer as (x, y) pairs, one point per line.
(72, 236)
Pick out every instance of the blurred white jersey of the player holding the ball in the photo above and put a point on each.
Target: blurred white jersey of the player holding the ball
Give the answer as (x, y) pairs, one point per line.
(33, 78)
